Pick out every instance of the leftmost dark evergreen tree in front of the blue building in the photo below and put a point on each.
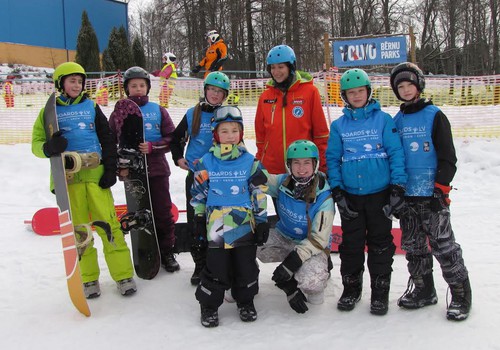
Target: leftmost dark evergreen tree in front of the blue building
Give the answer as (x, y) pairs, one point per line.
(87, 46)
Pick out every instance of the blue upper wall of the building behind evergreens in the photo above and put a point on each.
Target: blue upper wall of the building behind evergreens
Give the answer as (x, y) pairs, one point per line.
(56, 23)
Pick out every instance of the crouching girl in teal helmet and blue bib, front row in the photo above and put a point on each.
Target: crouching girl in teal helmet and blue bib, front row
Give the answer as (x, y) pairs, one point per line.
(301, 239)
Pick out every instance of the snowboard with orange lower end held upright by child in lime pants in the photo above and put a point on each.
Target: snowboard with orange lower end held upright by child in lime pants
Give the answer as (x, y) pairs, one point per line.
(71, 258)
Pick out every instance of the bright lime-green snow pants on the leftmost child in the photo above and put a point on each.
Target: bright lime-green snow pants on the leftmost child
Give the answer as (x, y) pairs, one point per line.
(89, 202)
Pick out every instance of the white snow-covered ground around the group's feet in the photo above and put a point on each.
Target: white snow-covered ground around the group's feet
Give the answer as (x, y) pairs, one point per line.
(35, 310)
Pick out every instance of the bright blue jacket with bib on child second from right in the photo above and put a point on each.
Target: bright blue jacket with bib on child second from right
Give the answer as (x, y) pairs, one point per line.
(364, 153)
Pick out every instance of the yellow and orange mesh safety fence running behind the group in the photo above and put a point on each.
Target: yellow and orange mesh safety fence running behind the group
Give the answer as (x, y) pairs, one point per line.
(471, 103)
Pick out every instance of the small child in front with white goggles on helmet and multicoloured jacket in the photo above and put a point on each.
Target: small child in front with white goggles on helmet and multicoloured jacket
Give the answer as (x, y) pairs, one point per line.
(230, 205)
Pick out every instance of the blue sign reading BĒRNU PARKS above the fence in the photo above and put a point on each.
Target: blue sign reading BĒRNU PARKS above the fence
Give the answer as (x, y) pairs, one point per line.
(369, 51)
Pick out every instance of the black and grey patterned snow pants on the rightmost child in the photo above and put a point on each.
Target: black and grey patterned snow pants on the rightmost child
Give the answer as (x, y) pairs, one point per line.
(422, 228)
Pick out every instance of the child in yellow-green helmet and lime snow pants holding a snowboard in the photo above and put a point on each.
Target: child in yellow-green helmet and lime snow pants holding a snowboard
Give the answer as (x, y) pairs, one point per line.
(89, 189)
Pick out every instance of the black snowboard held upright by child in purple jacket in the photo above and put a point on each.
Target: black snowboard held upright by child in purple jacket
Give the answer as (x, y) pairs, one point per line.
(139, 219)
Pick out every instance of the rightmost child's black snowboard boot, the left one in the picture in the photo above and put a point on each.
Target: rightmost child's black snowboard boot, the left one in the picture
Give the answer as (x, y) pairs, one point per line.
(419, 293)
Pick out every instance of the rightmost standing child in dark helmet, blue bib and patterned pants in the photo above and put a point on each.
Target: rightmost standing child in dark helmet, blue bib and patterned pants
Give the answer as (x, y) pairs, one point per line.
(431, 166)
